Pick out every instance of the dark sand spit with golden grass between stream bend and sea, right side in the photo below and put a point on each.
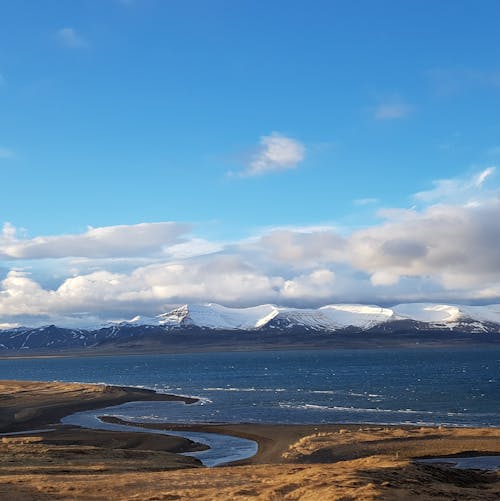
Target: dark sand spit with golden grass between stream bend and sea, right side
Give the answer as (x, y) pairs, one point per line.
(406, 441)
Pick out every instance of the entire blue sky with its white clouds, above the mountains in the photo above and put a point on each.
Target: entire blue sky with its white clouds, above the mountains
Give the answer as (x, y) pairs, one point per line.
(301, 153)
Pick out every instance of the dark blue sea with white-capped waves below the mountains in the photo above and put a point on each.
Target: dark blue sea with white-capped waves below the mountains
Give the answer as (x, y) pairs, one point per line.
(459, 386)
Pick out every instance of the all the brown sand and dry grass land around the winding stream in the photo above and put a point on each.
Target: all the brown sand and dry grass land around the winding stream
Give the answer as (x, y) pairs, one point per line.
(294, 462)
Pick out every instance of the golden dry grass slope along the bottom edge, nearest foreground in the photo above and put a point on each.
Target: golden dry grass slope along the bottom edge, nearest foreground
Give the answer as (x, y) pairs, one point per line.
(369, 478)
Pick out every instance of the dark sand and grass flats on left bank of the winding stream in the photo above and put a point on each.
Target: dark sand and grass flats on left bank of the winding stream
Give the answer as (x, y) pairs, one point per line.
(38, 405)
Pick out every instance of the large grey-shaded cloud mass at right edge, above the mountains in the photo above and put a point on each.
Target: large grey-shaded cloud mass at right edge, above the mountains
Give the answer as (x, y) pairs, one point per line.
(456, 244)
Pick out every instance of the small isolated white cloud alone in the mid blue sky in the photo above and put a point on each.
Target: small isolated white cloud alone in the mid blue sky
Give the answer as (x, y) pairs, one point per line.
(276, 153)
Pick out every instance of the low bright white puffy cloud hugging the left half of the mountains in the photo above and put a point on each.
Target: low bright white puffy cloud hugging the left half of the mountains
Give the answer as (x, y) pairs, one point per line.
(225, 279)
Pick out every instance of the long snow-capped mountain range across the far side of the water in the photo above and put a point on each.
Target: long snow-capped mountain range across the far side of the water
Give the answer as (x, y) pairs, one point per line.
(191, 324)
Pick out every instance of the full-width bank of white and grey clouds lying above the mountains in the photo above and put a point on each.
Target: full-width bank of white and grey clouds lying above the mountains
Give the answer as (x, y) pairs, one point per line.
(446, 249)
